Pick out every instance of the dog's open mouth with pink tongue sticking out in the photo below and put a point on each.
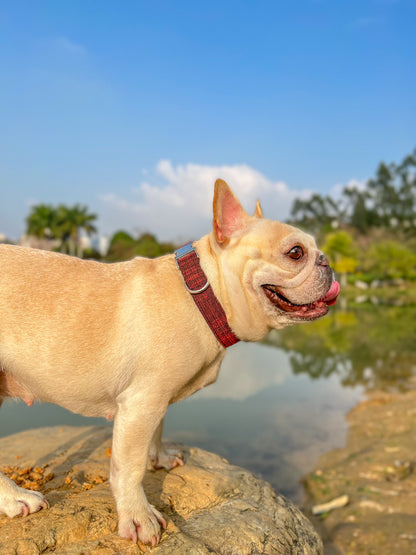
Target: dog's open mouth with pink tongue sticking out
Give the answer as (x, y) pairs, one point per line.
(310, 311)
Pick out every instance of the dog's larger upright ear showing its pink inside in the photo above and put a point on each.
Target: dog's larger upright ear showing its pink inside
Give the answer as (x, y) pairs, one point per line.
(229, 215)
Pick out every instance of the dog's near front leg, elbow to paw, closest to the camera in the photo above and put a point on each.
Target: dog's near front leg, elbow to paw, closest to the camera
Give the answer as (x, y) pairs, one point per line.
(136, 420)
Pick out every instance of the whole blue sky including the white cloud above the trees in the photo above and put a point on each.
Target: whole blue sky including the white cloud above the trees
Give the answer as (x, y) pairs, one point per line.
(135, 108)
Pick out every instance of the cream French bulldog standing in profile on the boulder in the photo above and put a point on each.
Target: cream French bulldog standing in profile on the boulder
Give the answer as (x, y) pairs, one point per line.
(125, 340)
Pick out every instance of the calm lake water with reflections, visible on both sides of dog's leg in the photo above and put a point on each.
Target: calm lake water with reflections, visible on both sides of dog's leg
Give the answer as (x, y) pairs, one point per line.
(278, 405)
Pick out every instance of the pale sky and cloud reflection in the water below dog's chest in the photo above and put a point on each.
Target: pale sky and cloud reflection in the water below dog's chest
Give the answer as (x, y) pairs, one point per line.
(262, 416)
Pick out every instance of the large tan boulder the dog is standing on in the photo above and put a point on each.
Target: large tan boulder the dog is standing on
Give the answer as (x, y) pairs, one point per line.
(211, 506)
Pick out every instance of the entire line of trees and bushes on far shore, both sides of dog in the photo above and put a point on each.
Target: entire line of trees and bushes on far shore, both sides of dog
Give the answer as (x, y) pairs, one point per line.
(368, 231)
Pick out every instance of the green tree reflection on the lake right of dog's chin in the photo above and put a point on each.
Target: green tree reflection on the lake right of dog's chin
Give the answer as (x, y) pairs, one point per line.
(373, 347)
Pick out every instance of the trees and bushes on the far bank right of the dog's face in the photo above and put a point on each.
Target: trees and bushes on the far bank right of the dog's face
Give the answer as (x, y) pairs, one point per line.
(368, 231)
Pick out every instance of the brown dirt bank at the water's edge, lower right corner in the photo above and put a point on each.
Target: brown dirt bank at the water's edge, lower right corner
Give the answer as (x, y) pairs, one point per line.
(376, 470)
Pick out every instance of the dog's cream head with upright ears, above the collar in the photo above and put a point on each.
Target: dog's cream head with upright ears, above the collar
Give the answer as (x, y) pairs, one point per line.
(273, 274)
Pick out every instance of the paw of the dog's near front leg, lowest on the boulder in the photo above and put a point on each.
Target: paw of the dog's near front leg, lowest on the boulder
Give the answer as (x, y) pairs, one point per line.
(144, 526)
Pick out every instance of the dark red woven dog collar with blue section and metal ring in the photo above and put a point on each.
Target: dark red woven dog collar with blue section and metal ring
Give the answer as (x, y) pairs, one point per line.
(198, 286)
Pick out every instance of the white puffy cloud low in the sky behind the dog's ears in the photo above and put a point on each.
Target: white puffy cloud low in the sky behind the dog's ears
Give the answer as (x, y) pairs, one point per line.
(177, 203)
